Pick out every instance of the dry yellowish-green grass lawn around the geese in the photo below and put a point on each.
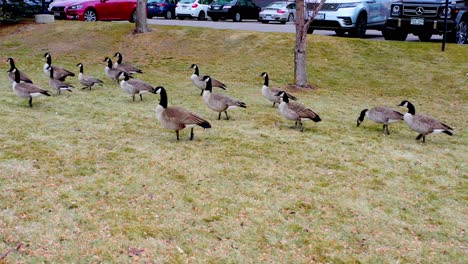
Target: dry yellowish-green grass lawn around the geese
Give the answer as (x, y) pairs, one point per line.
(91, 176)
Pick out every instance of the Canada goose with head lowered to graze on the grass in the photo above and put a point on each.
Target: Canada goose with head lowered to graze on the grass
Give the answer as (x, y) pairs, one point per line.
(380, 115)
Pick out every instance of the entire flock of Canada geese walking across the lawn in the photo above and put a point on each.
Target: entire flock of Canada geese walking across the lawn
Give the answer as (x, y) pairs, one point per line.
(177, 118)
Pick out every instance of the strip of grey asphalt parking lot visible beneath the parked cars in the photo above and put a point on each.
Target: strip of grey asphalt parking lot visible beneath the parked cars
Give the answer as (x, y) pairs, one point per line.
(256, 26)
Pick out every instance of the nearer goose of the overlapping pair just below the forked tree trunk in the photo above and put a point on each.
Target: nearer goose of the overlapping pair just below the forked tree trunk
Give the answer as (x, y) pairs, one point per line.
(295, 111)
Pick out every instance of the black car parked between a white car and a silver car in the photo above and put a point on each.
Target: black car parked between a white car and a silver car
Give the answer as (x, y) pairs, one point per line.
(233, 9)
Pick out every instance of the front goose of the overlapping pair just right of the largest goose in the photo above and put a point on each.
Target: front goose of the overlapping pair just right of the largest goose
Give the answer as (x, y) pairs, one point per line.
(219, 102)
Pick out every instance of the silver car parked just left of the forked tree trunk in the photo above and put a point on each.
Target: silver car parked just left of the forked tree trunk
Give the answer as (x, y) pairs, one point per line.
(278, 11)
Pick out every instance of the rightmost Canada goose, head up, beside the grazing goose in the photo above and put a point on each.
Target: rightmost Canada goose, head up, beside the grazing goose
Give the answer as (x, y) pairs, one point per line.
(423, 124)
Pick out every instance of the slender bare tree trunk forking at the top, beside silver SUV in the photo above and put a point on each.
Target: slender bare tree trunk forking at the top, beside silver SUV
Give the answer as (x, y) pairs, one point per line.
(305, 14)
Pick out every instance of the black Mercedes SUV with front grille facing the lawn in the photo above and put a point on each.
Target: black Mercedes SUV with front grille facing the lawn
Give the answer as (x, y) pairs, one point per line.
(425, 18)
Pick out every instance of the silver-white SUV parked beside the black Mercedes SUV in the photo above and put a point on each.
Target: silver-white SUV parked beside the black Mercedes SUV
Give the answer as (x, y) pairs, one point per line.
(351, 16)
